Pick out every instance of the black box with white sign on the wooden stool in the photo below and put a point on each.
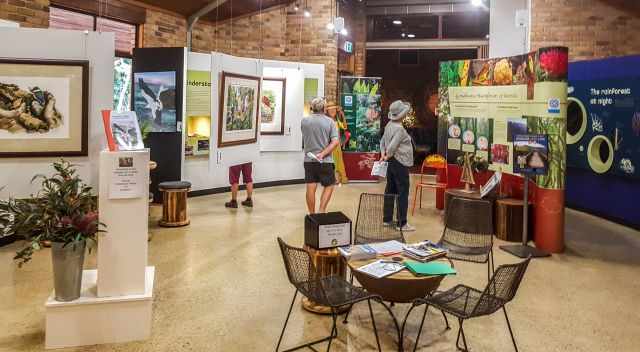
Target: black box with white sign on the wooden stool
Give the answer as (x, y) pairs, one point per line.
(327, 230)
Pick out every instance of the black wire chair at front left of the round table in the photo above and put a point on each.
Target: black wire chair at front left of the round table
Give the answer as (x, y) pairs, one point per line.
(331, 291)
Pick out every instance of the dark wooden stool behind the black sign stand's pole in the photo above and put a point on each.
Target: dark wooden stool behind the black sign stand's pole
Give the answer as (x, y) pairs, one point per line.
(509, 219)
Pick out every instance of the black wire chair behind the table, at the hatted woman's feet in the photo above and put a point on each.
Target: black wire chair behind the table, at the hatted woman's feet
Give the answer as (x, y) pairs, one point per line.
(370, 225)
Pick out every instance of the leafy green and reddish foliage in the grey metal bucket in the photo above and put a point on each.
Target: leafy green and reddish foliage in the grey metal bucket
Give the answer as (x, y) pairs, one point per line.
(64, 211)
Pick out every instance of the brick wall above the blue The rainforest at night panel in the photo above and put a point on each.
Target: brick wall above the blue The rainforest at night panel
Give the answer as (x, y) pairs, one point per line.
(590, 28)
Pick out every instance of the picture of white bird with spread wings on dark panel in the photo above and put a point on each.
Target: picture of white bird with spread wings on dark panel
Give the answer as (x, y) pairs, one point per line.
(154, 100)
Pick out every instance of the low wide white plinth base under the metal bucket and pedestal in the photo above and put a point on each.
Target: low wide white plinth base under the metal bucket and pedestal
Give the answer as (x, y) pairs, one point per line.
(92, 320)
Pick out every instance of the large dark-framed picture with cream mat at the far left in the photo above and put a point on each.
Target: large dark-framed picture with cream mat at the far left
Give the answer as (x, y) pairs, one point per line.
(43, 107)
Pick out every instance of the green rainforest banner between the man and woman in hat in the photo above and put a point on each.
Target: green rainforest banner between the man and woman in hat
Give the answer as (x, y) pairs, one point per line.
(360, 101)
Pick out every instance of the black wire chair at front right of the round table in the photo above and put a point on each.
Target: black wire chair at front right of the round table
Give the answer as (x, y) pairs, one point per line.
(465, 302)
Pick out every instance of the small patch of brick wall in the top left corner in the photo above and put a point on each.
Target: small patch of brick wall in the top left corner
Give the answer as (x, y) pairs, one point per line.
(29, 13)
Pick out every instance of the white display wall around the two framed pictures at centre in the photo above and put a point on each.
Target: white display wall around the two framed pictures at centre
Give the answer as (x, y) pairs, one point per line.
(275, 158)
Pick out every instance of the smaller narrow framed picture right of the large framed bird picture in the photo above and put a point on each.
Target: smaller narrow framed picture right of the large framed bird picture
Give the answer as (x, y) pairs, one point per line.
(272, 103)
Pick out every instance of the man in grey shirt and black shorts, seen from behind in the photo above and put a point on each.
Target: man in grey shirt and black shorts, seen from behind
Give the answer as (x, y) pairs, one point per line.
(320, 137)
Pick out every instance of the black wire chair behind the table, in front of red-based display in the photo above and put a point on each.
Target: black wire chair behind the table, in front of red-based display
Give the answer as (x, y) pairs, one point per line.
(468, 231)
